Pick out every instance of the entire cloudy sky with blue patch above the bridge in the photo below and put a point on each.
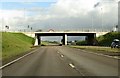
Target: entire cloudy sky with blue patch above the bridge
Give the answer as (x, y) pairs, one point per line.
(58, 14)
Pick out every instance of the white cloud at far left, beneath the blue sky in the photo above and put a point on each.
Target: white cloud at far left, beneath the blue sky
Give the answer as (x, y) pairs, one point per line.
(11, 17)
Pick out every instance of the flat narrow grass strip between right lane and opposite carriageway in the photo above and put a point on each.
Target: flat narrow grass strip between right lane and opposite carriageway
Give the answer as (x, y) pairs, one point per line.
(97, 48)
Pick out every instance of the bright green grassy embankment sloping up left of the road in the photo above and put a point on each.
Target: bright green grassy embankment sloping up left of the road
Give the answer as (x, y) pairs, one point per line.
(14, 45)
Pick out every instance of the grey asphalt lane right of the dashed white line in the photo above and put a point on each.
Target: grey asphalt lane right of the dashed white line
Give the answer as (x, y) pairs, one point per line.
(90, 64)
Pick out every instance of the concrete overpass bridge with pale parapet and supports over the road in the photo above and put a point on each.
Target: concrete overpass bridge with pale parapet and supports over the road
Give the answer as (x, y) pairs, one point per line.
(90, 36)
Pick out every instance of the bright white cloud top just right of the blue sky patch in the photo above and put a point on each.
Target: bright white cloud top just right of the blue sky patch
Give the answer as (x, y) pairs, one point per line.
(72, 8)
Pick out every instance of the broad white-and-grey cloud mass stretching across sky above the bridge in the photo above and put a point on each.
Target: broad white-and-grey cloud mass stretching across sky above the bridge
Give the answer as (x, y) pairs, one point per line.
(66, 14)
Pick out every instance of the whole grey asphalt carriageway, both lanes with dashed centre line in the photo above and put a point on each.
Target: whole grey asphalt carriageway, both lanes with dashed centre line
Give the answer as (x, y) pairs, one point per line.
(62, 61)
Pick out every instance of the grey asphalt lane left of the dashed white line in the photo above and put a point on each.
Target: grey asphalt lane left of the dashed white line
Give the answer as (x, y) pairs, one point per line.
(44, 62)
